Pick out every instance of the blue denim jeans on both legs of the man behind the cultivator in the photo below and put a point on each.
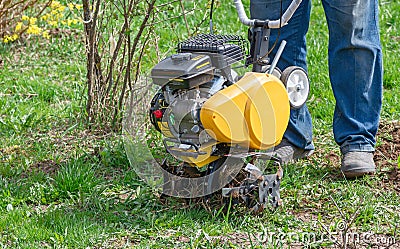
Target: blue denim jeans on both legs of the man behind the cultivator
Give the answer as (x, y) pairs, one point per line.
(355, 68)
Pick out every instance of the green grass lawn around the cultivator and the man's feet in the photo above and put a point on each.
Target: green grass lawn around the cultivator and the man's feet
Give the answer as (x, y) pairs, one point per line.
(62, 186)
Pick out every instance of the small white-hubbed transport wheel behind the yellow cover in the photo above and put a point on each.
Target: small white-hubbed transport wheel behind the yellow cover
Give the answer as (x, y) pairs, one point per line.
(297, 85)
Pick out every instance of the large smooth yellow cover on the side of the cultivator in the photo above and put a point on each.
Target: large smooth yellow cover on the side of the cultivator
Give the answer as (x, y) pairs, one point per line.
(253, 112)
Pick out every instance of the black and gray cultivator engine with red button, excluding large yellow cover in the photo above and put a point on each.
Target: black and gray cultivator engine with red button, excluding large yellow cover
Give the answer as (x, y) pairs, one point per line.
(201, 68)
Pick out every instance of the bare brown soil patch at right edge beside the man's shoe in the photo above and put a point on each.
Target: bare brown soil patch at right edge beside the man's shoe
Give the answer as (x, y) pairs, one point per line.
(388, 152)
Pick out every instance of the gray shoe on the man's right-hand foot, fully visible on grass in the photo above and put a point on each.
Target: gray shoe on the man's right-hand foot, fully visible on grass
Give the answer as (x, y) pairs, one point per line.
(358, 163)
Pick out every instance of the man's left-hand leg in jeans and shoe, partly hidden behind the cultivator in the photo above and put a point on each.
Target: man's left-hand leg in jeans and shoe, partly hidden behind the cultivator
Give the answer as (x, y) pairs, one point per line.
(299, 131)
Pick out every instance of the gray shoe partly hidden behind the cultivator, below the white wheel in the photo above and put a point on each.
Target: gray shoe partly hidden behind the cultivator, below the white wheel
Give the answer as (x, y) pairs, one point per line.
(287, 152)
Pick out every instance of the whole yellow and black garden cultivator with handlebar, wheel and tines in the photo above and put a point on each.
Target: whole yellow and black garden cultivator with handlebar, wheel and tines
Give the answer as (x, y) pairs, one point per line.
(223, 126)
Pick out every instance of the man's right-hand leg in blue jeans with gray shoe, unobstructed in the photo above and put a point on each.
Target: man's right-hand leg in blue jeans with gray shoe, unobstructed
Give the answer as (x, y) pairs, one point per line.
(355, 66)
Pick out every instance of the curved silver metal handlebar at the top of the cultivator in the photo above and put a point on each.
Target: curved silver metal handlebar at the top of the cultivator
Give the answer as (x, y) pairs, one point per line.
(274, 24)
